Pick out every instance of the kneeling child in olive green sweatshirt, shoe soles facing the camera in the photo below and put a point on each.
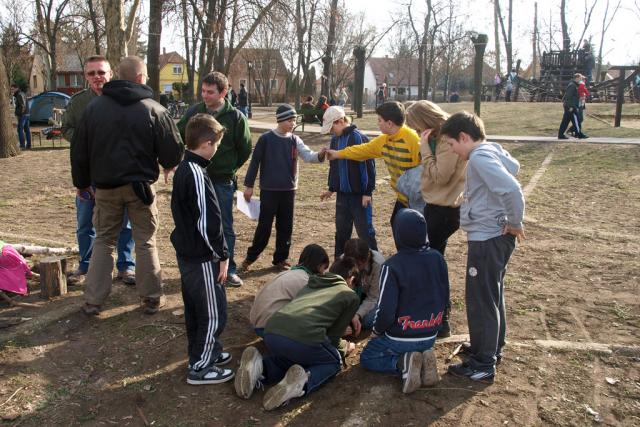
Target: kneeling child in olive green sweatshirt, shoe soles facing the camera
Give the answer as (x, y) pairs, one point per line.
(303, 338)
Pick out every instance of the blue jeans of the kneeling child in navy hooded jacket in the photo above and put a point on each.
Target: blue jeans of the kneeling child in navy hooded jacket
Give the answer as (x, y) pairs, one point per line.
(382, 353)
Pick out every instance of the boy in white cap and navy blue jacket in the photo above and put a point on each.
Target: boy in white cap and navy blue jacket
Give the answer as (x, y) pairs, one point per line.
(353, 181)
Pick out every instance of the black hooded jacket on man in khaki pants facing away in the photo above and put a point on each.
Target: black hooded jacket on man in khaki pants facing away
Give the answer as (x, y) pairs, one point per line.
(121, 138)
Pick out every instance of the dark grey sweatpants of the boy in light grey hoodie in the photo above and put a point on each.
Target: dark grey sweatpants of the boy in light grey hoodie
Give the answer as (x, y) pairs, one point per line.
(484, 295)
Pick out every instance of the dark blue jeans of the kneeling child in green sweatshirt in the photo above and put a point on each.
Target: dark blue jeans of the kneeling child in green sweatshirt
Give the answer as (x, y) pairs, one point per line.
(321, 361)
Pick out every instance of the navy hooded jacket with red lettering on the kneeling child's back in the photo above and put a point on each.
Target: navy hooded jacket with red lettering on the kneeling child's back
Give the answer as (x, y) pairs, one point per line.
(414, 284)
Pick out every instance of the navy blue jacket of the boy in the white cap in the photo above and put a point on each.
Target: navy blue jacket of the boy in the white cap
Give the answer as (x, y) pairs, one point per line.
(350, 176)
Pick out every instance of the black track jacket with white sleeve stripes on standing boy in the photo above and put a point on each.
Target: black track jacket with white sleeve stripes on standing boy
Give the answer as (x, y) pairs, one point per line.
(198, 234)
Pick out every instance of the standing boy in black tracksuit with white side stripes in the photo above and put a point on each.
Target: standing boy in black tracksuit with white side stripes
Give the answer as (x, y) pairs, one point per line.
(201, 252)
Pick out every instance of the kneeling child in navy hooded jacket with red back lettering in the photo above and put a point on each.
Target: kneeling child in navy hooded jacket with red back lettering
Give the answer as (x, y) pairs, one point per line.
(414, 290)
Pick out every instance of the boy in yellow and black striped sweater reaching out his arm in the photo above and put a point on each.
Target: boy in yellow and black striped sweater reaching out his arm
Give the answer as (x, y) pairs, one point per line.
(398, 145)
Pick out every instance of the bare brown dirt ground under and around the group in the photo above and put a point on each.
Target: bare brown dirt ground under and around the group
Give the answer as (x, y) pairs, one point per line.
(574, 279)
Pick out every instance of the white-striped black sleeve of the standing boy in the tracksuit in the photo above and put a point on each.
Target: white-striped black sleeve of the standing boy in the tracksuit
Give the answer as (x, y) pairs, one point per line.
(209, 221)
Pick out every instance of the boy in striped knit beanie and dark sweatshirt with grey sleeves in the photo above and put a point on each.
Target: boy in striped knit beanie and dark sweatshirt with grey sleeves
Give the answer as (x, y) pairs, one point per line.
(276, 156)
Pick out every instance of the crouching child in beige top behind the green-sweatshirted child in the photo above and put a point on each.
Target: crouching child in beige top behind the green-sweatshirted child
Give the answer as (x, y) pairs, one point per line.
(286, 285)
